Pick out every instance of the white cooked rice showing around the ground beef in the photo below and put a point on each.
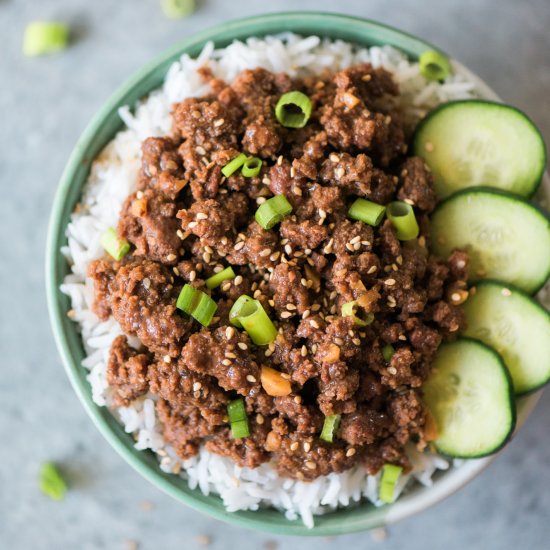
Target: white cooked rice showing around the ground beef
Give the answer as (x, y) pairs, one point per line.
(113, 177)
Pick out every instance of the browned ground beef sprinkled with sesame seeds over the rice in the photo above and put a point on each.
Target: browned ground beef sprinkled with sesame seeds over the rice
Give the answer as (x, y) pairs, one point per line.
(187, 221)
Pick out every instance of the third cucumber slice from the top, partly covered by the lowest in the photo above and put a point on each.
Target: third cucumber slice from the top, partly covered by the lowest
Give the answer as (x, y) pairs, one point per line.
(516, 326)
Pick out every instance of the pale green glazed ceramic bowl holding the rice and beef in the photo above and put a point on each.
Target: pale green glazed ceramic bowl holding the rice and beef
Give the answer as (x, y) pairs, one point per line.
(99, 132)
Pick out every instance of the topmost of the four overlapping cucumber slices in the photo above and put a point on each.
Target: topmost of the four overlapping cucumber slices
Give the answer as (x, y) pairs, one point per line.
(473, 142)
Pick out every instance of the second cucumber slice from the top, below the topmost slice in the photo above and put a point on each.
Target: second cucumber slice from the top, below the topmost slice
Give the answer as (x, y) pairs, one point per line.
(508, 238)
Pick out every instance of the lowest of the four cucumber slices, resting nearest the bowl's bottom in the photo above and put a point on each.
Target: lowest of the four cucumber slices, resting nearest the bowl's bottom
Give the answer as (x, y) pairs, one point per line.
(469, 394)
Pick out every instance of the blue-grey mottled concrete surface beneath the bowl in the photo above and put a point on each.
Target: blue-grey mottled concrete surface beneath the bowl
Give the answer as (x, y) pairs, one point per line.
(44, 106)
